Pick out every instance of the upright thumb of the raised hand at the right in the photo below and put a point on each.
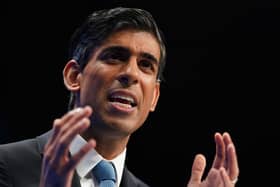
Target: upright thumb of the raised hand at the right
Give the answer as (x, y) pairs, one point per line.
(198, 168)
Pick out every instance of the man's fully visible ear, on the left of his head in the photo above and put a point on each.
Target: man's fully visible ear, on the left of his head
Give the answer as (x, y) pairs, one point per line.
(71, 75)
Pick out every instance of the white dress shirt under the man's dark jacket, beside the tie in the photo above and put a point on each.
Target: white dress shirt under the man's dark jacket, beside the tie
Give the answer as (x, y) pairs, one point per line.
(90, 160)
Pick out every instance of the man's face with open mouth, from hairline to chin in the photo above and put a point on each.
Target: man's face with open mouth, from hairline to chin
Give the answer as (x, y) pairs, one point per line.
(120, 81)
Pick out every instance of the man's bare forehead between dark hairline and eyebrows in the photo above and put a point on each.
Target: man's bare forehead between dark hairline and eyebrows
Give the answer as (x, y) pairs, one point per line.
(136, 41)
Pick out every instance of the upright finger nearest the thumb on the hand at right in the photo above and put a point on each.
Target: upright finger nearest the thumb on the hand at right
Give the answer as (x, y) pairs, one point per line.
(220, 151)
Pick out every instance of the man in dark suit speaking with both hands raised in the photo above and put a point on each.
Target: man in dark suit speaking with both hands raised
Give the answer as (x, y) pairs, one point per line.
(116, 61)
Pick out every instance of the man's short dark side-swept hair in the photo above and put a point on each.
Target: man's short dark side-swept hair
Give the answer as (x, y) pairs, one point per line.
(102, 23)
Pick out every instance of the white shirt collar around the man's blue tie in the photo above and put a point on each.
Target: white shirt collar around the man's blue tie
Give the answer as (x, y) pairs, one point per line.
(92, 158)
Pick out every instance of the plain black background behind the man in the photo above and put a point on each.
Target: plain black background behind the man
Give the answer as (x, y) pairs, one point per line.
(221, 75)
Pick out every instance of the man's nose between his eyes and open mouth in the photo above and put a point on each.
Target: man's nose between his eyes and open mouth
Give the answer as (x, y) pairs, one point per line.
(129, 74)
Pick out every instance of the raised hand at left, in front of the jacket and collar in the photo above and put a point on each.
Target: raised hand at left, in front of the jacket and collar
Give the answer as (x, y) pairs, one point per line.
(58, 167)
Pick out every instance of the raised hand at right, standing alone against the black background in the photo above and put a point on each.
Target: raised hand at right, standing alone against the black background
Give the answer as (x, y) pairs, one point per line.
(224, 170)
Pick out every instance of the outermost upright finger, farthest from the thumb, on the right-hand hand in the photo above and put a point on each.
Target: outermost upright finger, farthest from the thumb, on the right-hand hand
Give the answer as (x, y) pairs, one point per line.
(231, 161)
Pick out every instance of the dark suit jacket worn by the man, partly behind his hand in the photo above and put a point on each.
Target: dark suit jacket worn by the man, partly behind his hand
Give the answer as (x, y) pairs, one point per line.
(20, 165)
